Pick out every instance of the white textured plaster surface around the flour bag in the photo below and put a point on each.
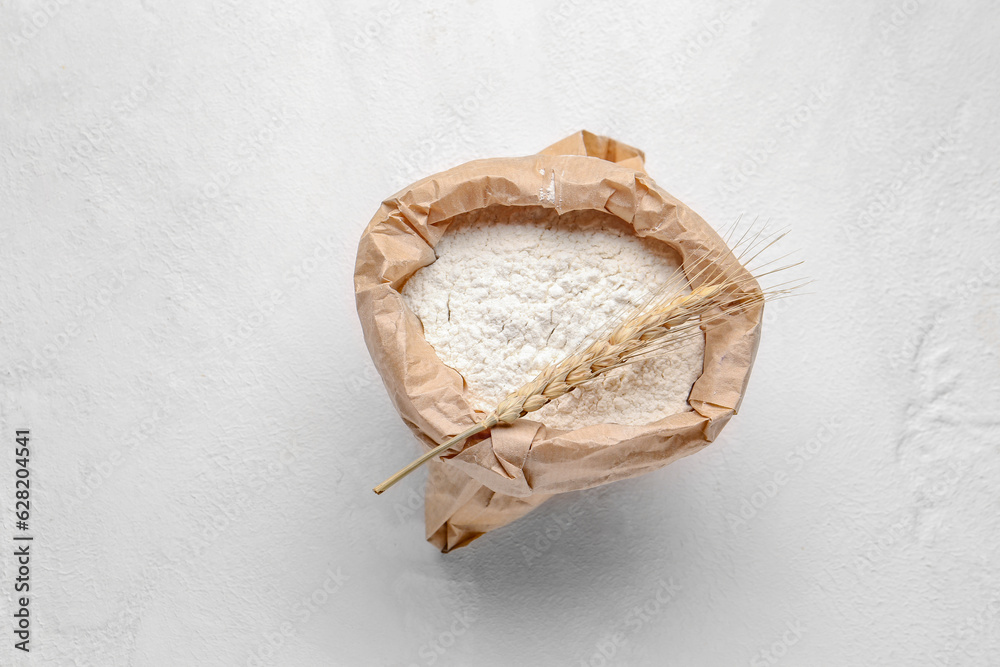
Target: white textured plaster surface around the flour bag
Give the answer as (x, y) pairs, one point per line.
(182, 187)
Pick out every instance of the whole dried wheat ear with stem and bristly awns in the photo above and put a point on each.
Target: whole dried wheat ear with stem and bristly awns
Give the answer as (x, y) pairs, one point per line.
(670, 318)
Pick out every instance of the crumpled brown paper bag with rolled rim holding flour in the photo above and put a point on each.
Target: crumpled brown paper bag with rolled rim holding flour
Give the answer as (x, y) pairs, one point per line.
(505, 473)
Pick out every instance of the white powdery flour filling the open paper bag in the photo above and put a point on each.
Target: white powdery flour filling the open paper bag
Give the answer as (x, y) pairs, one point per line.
(512, 292)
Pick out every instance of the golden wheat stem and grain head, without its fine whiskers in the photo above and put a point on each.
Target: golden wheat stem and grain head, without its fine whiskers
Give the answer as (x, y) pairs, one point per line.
(645, 331)
